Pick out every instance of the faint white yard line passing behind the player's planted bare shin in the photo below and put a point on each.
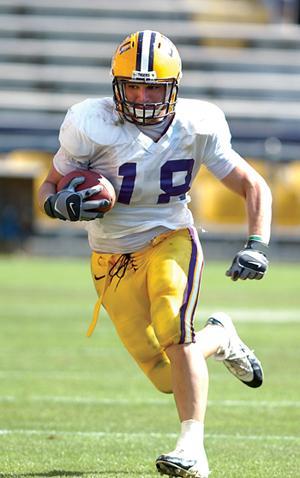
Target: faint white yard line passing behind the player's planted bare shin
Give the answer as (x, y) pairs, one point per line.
(133, 401)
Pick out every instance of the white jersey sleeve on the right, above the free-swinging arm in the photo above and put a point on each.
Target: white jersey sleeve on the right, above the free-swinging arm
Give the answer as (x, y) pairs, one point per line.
(219, 157)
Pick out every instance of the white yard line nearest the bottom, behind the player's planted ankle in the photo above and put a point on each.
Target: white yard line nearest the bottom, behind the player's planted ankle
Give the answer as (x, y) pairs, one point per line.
(137, 435)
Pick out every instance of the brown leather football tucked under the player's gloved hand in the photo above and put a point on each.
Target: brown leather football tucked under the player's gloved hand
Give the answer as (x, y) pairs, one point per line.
(92, 178)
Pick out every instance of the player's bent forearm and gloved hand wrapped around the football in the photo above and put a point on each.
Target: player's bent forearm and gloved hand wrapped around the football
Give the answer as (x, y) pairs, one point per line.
(68, 204)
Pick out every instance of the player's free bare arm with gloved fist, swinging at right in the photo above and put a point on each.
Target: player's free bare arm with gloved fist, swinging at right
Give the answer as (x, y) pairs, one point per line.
(251, 262)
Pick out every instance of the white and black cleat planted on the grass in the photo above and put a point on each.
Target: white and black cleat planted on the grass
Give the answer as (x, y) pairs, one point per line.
(175, 464)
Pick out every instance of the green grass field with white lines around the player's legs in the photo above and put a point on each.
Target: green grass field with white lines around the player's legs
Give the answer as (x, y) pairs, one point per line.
(78, 407)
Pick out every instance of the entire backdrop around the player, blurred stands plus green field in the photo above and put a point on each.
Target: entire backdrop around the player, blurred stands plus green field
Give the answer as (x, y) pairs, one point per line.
(65, 408)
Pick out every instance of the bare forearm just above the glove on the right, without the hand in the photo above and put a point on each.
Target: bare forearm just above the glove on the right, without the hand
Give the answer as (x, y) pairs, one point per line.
(259, 209)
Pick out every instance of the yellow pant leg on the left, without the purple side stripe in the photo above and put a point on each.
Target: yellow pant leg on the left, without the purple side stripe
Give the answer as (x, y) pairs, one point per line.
(127, 303)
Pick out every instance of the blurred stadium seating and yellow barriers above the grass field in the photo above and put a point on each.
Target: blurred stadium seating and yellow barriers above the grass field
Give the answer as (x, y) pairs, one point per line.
(242, 55)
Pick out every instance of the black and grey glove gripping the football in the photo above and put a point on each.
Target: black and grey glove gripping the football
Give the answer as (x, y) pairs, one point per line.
(71, 205)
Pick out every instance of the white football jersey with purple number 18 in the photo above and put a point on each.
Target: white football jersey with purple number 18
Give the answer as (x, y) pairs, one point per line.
(151, 179)
